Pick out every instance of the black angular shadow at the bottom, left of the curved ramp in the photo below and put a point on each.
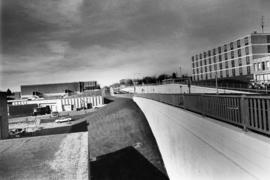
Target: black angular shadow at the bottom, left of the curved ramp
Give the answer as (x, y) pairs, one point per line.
(124, 164)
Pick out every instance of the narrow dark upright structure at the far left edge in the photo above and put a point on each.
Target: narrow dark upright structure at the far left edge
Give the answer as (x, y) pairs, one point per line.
(3, 116)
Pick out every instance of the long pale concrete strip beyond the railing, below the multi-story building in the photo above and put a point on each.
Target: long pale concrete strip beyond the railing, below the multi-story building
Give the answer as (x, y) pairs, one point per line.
(175, 88)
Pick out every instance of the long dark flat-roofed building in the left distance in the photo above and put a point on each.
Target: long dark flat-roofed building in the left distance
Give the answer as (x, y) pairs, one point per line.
(57, 89)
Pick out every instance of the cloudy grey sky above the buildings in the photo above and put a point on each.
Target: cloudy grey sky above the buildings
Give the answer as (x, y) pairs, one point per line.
(108, 40)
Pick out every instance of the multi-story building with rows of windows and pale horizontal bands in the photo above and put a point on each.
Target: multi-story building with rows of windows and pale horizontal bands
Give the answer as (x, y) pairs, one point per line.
(232, 61)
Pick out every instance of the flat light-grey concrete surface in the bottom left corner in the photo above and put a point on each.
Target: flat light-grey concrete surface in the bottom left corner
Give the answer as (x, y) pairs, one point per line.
(62, 156)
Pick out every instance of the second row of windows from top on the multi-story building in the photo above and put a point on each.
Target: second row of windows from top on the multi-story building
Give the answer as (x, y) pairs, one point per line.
(218, 58)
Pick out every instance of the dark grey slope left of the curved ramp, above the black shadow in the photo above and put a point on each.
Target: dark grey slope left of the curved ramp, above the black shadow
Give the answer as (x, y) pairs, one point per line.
(121, 124)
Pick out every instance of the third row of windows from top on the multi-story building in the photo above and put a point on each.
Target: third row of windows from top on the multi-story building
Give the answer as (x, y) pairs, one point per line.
(220, 64)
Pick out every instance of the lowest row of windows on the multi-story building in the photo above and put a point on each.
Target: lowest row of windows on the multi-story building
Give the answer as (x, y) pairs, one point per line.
(222, 74)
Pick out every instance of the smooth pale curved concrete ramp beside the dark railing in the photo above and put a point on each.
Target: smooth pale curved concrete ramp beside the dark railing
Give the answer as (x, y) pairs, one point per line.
(196, 147)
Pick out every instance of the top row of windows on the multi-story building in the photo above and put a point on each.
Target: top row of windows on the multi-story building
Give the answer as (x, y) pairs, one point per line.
(218, 50)
